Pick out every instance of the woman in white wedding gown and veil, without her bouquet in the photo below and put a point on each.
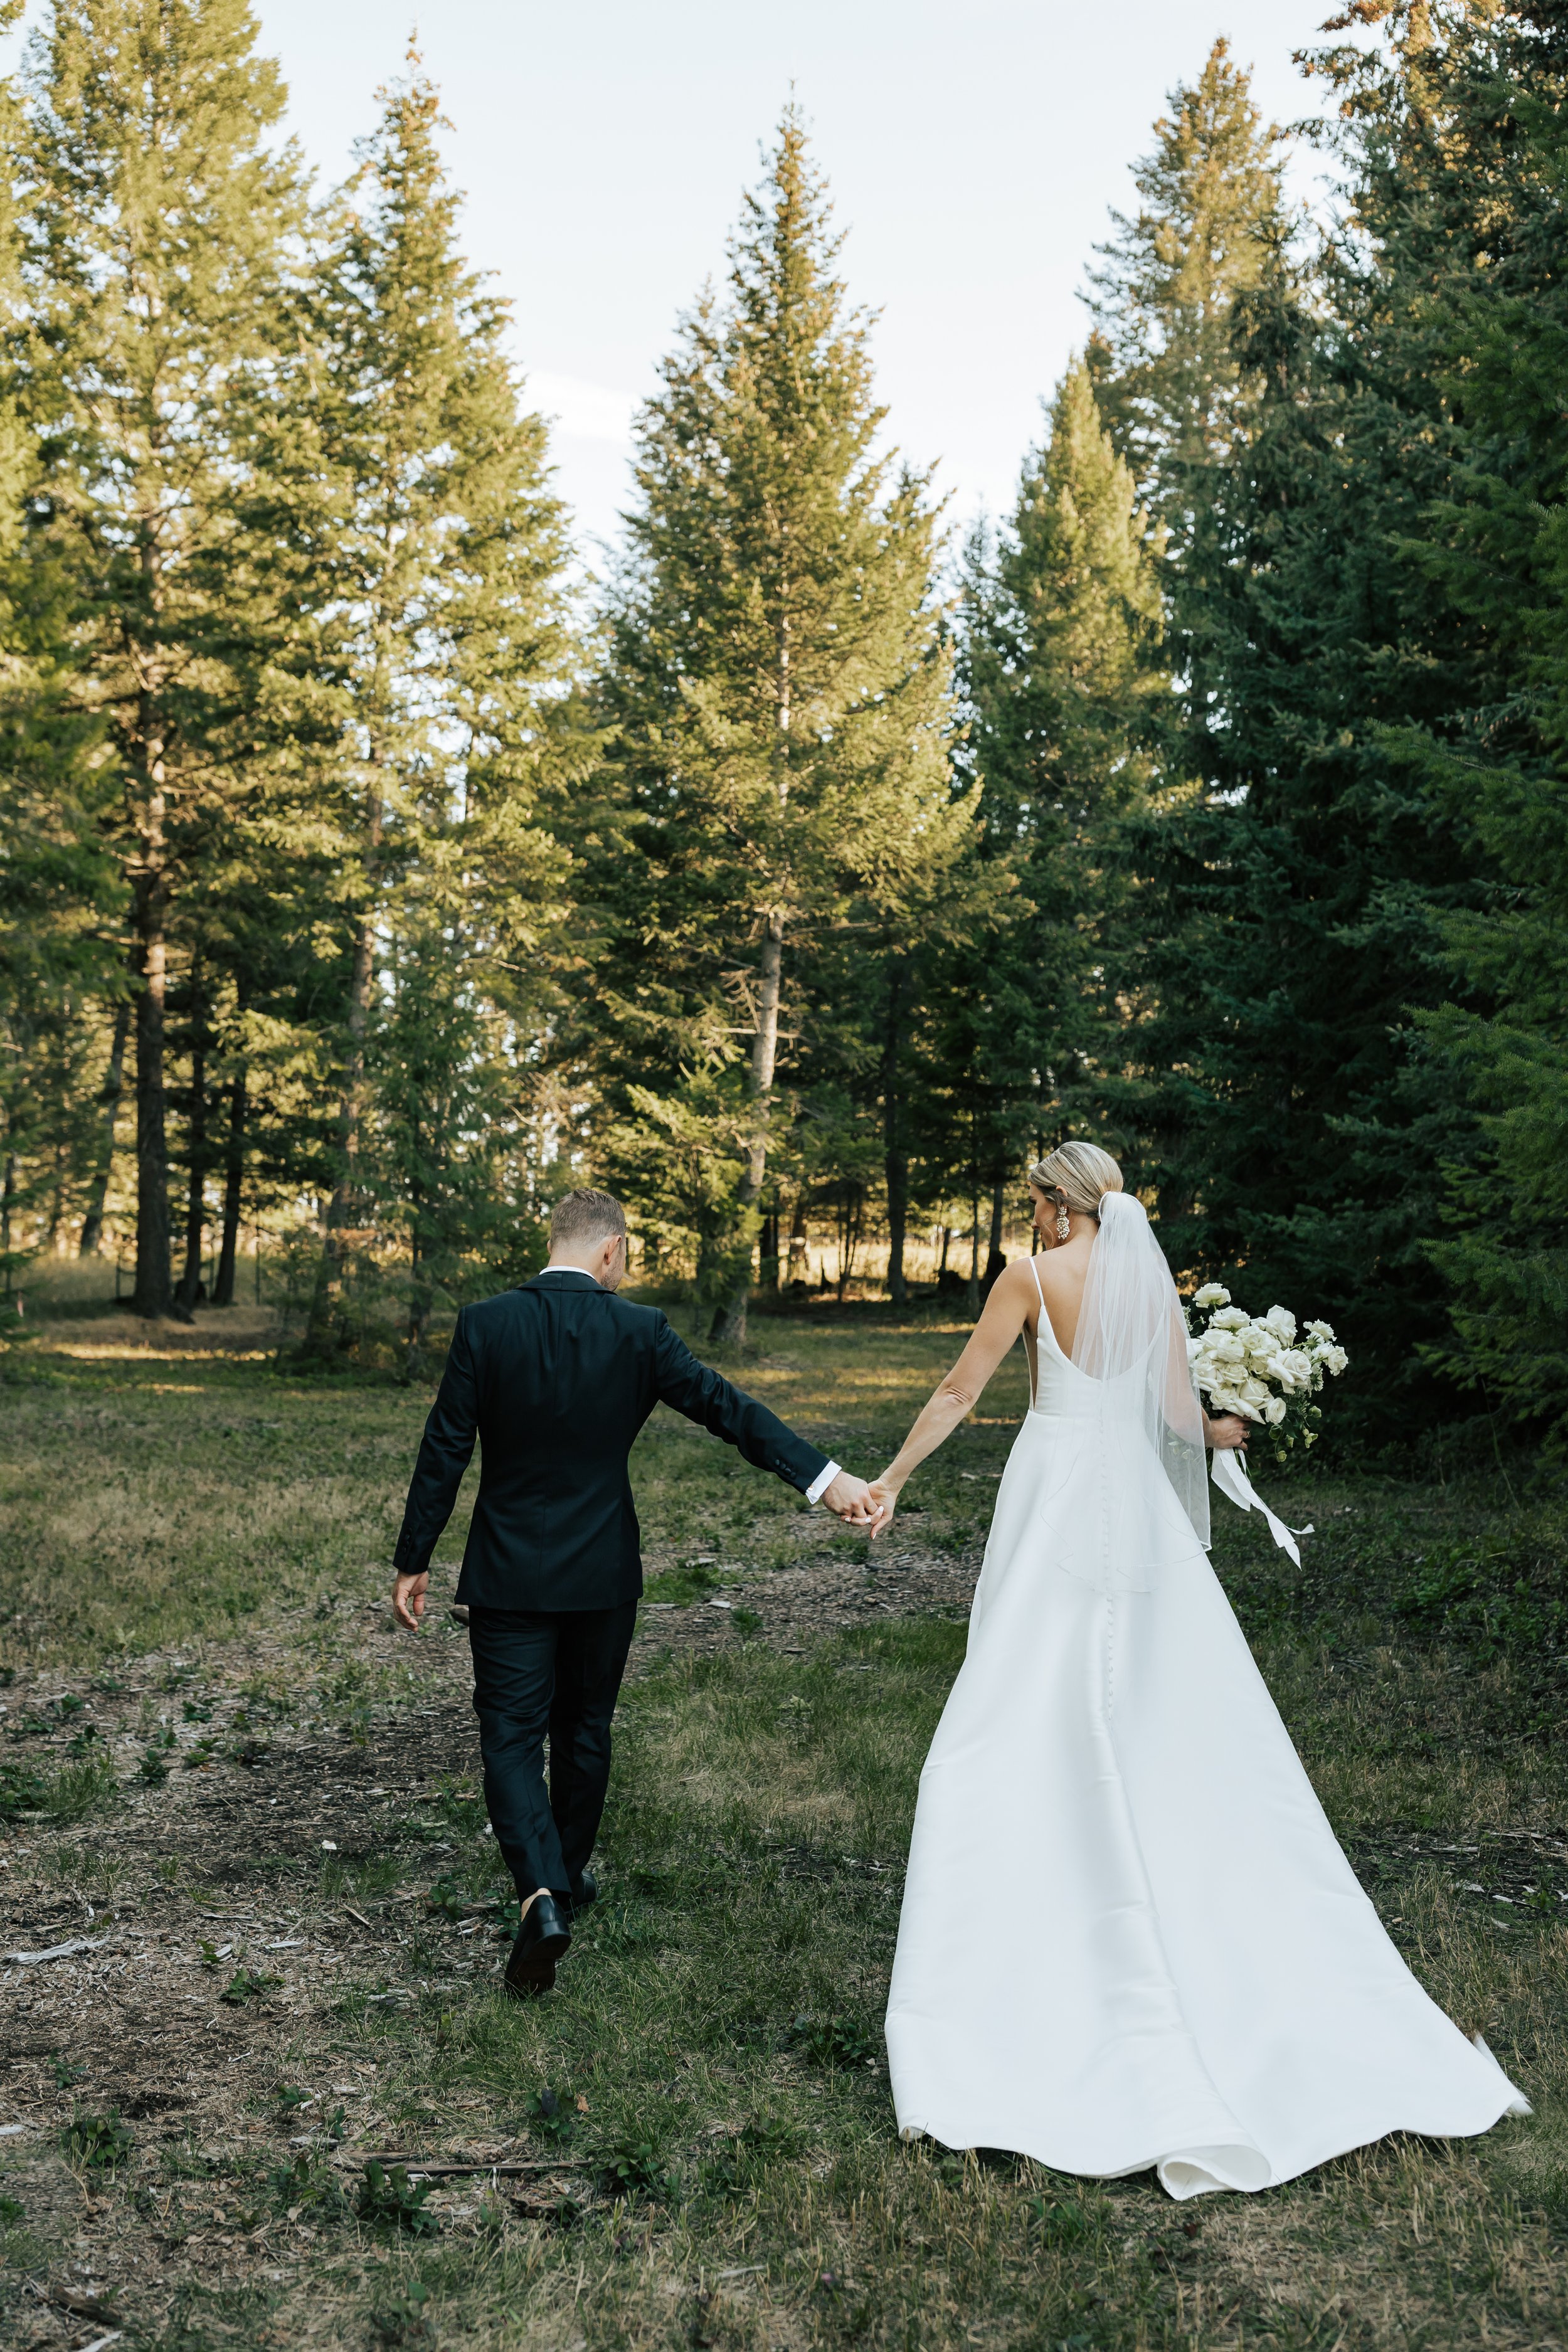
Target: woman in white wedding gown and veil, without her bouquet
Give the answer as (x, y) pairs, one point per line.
(1130, 1937)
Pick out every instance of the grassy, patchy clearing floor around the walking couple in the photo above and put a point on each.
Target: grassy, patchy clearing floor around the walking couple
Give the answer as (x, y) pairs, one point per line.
(250, 1911)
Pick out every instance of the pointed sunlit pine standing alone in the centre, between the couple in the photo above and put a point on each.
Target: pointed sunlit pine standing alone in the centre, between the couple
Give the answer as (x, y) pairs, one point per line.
(779, 697)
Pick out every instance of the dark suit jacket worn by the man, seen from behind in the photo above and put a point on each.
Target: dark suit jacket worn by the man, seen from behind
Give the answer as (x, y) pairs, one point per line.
(556, 1382)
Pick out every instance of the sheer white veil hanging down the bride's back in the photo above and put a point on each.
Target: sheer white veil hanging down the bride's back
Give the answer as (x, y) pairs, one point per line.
(1132, 1342)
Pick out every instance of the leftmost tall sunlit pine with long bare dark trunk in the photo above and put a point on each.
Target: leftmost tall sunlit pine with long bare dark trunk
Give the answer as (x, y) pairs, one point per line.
(156, 218)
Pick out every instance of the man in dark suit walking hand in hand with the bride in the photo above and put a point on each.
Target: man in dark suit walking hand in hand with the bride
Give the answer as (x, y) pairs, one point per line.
(556, 1379)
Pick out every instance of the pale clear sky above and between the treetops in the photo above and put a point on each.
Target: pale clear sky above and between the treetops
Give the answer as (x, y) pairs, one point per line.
(974, 154)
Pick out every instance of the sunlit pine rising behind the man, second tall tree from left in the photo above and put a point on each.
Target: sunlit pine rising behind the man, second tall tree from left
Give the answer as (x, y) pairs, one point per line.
(450, 667)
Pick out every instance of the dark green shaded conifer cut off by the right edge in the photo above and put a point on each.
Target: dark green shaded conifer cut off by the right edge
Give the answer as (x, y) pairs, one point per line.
(1461, 147)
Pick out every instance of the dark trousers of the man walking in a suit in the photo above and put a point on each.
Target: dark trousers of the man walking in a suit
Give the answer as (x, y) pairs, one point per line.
(547, 1671)
